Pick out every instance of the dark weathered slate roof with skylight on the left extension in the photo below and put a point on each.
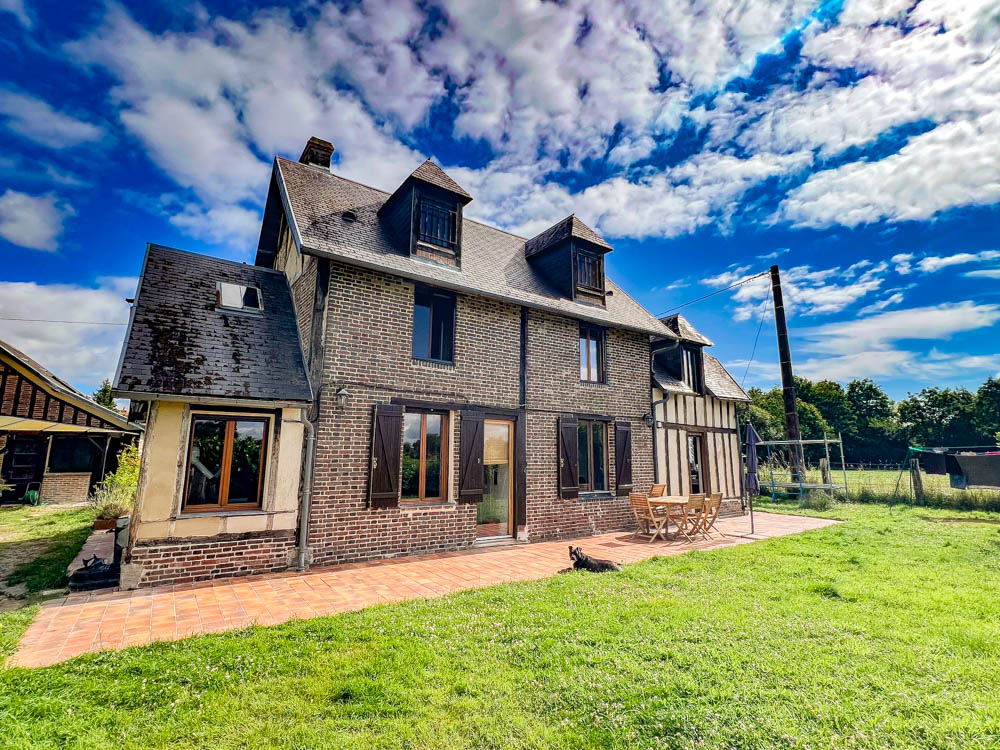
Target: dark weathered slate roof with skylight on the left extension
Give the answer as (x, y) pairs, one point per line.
(179, 344)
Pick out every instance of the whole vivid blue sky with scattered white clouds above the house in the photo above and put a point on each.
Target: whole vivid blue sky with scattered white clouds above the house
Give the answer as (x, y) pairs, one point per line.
(853, 143)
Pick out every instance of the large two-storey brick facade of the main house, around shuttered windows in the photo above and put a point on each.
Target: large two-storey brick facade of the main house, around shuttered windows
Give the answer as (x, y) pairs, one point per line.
(368, 348)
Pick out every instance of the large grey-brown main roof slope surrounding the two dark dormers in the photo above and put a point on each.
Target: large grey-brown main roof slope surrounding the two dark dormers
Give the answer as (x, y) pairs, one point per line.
(493, 261)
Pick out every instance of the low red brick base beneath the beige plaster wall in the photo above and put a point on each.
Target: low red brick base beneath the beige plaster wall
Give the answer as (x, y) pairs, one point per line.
(204, 559)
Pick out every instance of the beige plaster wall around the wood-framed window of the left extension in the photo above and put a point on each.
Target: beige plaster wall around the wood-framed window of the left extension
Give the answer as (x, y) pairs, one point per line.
(163, 469)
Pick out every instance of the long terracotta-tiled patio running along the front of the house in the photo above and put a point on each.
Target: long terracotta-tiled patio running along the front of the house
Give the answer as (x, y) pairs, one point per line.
(91, 622)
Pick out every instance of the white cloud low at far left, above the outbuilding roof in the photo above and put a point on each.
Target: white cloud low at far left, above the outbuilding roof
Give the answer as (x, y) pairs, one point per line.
(81, 354)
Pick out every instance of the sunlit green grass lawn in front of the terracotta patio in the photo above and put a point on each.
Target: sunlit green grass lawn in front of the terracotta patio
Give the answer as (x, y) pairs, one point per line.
(883, 631)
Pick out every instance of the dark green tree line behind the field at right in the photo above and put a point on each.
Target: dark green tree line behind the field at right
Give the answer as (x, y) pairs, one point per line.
(874, 427)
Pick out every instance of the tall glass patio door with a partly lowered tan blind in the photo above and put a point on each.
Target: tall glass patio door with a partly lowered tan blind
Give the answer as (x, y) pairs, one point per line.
(494, 513)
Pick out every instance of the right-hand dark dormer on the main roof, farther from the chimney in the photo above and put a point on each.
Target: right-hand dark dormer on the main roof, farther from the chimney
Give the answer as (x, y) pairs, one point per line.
(570, 255)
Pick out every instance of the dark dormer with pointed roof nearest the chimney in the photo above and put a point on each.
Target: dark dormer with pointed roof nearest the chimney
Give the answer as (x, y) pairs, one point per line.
(423, 217)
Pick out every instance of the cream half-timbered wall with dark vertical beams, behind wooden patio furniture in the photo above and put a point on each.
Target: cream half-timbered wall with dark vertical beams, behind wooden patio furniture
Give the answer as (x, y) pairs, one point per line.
(715, 421)
